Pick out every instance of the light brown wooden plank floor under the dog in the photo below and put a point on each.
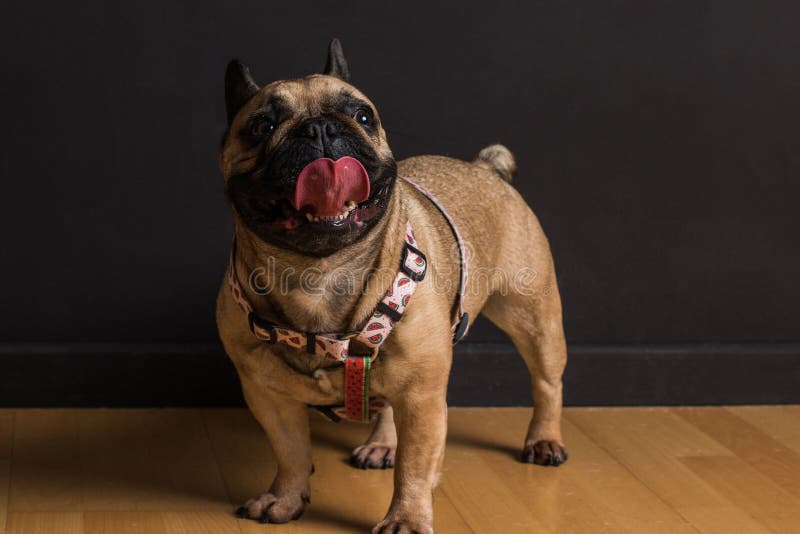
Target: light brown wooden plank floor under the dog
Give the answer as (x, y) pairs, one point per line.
(649, 470)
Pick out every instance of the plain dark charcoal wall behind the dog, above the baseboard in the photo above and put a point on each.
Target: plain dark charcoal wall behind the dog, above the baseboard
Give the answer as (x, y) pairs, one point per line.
(657, 142)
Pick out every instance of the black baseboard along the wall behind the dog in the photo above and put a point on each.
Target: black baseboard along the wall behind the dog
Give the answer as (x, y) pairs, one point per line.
(484, 374)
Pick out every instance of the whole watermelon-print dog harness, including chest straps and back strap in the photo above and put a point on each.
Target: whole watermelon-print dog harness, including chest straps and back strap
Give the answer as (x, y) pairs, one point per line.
(389, 311)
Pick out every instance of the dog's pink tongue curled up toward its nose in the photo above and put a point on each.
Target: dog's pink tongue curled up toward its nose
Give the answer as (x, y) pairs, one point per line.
(325, 185)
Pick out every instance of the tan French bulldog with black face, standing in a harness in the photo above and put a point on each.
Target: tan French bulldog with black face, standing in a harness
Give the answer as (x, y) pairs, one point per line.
(329, 228)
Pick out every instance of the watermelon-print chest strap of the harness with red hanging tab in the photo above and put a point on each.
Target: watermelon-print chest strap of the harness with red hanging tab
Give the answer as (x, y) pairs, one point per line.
(337, 346)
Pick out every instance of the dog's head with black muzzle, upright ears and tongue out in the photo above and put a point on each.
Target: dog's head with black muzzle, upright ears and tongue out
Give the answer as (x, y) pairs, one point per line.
(305, 161)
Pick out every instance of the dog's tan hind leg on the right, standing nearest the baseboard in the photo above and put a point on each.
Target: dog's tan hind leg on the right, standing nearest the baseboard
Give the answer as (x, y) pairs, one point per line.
(532, 318)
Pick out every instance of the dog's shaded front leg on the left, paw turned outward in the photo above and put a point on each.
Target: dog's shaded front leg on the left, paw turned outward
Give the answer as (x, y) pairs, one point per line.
(285, 421)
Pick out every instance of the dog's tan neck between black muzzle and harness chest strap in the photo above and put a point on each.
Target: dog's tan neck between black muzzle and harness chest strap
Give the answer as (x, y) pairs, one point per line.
(334, 294)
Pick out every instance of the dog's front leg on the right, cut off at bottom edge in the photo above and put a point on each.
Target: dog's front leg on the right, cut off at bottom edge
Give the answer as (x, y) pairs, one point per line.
(420, 412)
